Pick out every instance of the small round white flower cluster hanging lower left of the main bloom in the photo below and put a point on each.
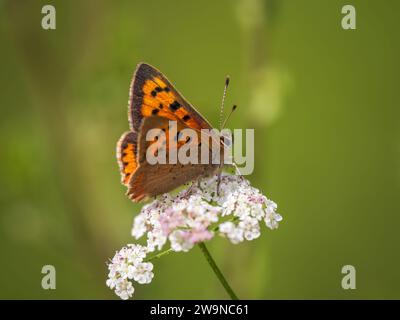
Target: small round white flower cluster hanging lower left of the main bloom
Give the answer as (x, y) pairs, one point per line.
(127, 266)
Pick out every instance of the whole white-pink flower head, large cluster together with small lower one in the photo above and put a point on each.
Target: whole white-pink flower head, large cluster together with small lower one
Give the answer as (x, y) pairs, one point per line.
(194, 215)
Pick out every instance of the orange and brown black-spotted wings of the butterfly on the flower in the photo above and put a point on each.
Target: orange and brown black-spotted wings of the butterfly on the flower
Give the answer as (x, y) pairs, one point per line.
(153, 103)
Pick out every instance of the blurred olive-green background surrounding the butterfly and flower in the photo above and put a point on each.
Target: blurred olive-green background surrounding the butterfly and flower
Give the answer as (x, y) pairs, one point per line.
(323, 101)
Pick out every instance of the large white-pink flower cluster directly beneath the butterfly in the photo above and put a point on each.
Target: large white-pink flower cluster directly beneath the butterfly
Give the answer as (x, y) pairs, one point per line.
(198, 214)
